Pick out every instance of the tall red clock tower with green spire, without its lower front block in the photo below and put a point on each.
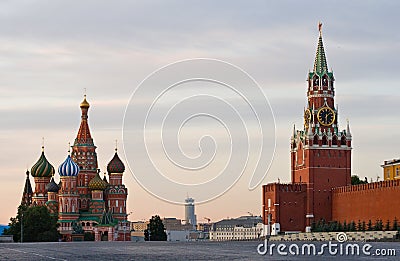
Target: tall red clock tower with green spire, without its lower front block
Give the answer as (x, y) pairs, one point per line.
(320, 152)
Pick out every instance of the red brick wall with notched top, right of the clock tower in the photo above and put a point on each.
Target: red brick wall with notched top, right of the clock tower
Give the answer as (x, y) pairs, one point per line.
(373, 201)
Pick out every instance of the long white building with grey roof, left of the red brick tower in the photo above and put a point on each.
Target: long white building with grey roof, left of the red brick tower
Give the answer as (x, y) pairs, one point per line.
(242, 228)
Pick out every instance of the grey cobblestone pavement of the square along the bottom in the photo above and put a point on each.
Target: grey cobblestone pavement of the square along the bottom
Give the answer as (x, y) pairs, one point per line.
(171, 251)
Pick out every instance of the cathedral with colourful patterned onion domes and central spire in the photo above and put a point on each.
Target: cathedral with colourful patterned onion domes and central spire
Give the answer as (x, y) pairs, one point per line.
(82, 198)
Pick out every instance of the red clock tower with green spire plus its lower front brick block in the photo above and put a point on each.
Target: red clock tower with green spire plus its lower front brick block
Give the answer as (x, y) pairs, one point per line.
(320, 158)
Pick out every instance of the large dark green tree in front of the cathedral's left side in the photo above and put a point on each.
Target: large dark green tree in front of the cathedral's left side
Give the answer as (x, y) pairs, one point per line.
(38, 225)
